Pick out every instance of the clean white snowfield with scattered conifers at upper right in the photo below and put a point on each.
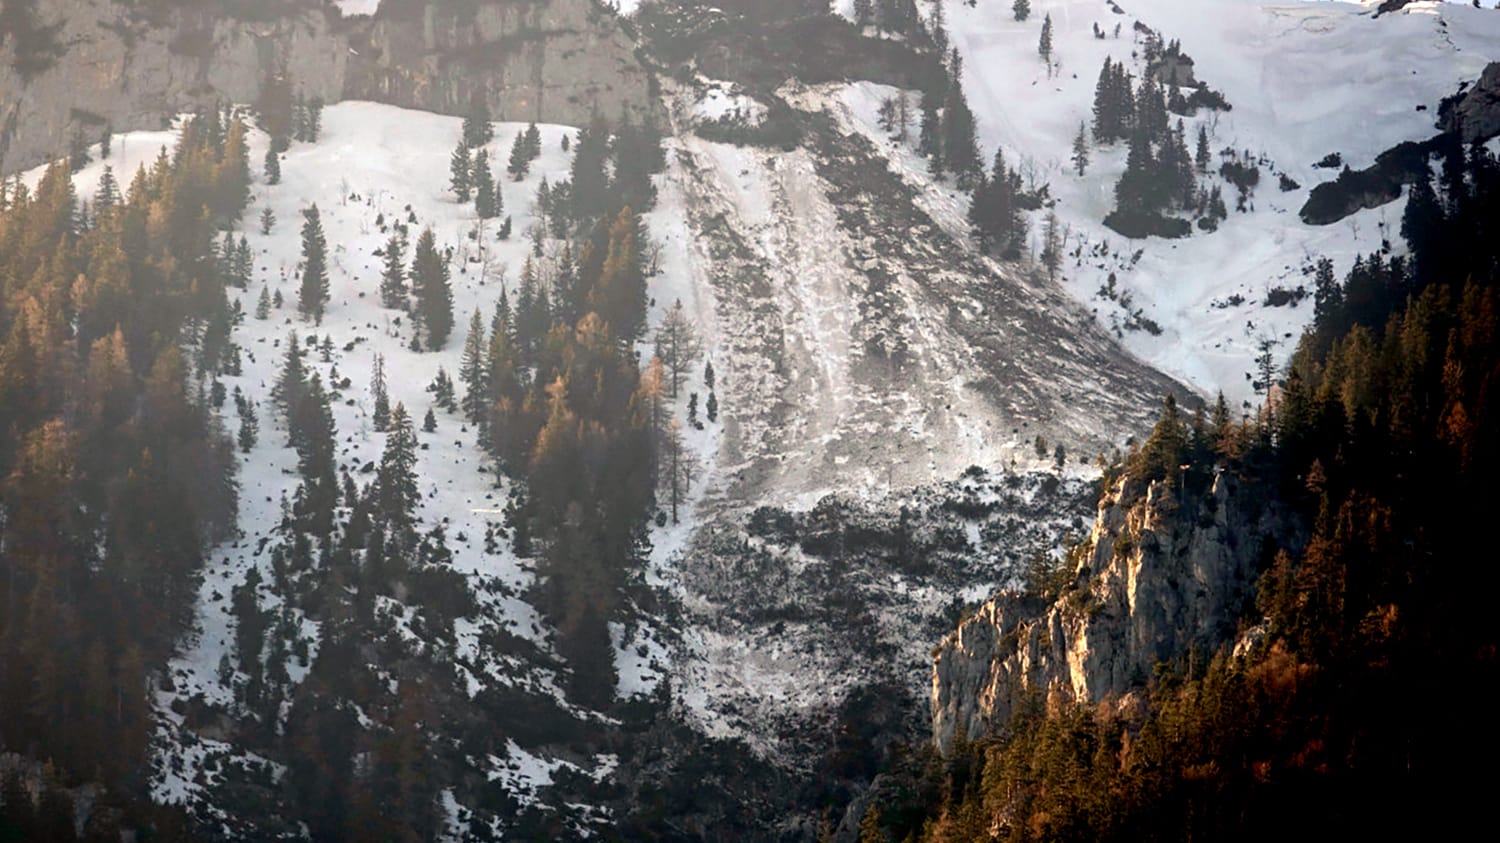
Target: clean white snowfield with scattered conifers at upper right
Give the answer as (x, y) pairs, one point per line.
(1304, 79)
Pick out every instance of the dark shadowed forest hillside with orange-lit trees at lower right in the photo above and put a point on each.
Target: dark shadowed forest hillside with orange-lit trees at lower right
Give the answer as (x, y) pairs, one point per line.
(1346, 709)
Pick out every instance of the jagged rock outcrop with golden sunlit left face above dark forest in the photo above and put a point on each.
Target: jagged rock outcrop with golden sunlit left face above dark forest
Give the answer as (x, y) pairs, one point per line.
(1154, 580)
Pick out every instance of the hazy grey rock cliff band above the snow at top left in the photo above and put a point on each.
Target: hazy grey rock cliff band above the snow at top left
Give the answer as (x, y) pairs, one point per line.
(83, 64)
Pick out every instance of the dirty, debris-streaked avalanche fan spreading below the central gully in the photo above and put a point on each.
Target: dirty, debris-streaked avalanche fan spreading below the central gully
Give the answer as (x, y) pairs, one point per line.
(866, 350)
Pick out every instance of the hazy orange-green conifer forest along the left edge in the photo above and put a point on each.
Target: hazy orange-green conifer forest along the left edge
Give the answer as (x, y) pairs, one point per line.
(116, 475)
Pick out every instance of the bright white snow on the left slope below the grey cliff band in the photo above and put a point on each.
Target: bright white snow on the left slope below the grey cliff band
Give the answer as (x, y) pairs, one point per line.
(371, 160)
